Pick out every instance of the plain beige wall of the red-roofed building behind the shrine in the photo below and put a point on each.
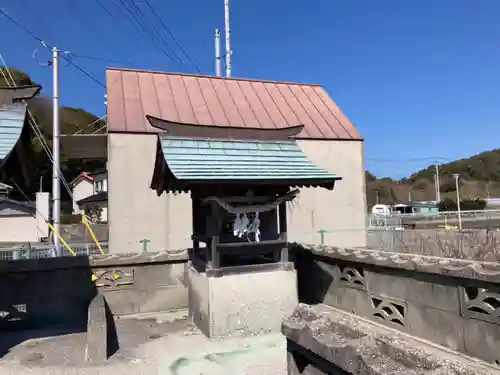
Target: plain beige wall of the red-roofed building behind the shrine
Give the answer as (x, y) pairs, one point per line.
(135, 212)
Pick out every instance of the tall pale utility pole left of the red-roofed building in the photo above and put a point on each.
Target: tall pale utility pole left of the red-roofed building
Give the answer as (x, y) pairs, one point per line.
(56, 186)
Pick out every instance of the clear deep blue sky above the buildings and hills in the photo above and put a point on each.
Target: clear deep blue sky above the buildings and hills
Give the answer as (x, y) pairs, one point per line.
(420, 79)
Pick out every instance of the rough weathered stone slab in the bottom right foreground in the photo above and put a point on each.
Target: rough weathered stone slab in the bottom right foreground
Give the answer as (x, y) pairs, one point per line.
(330, 341)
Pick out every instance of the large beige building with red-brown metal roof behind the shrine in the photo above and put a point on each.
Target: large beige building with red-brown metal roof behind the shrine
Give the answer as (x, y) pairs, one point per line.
(136, 213)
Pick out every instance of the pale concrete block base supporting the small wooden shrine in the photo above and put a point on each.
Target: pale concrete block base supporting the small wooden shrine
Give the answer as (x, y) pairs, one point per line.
(241, 303)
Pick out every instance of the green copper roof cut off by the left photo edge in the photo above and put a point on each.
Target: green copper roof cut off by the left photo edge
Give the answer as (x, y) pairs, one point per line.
(11, 125)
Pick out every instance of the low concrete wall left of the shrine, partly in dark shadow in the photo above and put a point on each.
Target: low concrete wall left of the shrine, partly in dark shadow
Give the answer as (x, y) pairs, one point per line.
(58, 291)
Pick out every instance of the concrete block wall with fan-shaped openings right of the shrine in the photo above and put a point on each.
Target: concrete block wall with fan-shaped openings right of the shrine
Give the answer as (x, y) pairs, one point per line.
(451, 302)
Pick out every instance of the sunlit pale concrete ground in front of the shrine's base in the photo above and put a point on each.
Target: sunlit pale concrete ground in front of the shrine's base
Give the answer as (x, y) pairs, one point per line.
(150, 345)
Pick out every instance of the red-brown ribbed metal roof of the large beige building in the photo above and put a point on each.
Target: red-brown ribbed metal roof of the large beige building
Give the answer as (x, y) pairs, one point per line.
(209, 100)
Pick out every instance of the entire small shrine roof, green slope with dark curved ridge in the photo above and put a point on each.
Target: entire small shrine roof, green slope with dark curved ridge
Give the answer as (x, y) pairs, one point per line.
(192, 154)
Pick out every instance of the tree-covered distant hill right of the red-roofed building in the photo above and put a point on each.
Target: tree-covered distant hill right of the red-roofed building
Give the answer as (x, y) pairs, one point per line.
(479, 177)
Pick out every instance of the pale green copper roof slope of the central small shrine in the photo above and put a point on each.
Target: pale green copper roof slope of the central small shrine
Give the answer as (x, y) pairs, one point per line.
(210, 159)
